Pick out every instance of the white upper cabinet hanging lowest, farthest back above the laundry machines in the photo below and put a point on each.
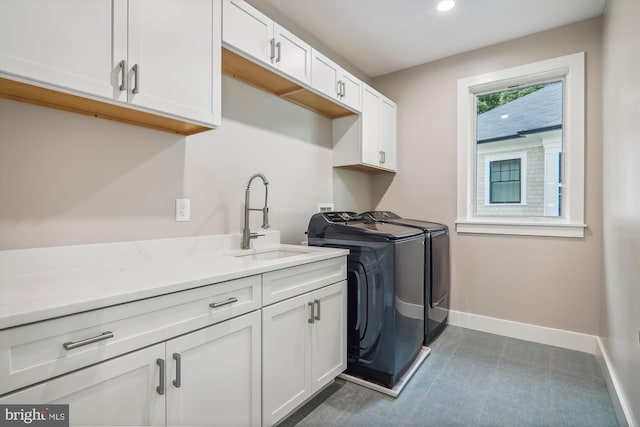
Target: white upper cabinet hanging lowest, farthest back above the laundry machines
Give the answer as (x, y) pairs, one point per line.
(367, 142)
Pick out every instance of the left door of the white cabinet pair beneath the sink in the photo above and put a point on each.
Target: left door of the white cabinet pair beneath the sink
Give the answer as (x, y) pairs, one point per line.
(286, 357)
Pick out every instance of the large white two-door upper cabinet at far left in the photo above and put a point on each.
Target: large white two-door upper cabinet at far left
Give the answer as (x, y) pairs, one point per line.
(161, 57)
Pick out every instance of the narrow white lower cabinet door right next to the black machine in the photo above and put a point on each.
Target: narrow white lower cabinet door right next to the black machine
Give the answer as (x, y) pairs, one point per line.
(329, 334)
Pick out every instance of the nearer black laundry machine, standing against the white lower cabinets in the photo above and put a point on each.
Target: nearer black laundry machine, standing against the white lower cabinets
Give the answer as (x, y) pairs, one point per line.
(385, 314)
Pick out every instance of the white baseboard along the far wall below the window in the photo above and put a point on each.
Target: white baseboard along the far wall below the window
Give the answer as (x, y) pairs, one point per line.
(524, 331)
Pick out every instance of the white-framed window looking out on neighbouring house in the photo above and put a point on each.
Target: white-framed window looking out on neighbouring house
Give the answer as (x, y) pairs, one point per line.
(521, 150)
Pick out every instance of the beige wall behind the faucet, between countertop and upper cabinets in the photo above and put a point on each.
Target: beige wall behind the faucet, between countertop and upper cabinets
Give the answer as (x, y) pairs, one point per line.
(71, 179)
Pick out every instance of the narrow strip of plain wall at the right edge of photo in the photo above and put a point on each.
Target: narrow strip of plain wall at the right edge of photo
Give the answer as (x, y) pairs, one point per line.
(621, 176)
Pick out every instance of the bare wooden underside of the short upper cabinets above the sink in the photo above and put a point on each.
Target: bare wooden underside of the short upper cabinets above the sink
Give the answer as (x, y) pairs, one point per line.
(247, 71)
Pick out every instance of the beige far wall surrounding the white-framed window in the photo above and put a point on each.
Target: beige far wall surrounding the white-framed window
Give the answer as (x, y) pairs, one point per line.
(553, 282)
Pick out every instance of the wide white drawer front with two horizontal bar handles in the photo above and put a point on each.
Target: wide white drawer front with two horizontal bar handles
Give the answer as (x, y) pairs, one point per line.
(39, 351)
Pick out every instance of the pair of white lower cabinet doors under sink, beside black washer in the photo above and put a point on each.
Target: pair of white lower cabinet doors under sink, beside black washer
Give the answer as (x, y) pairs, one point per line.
(304, 348)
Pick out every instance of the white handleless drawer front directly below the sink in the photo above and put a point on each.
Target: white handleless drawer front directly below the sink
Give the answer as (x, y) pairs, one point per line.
(289, 282)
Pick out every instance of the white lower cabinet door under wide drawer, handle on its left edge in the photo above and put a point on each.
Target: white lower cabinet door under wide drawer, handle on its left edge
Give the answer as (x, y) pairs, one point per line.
(214, 375)
